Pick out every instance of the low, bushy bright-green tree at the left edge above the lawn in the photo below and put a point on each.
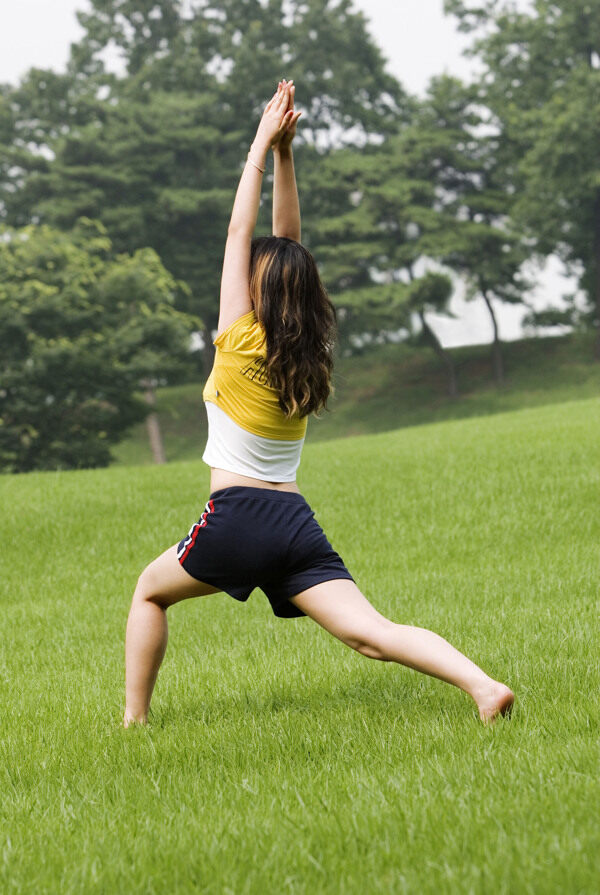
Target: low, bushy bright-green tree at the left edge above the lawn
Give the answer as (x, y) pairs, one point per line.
(81, 330)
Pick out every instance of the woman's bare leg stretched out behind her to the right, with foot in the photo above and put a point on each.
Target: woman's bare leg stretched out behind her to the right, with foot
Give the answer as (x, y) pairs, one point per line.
(340, 608)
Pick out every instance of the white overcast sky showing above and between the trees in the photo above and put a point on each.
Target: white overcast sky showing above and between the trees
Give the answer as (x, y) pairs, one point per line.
(418, 42)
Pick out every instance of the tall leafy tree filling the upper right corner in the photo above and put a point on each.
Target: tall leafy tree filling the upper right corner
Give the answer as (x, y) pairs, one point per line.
(542, 83)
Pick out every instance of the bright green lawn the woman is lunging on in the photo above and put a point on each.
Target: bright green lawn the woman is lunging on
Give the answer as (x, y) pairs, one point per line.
(278, 761)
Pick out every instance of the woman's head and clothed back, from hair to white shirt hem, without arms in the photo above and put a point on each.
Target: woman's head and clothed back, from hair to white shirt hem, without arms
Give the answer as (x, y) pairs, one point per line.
(272, 366)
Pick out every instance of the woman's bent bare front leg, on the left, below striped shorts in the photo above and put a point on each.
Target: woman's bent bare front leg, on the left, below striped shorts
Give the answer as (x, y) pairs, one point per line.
(161, 584)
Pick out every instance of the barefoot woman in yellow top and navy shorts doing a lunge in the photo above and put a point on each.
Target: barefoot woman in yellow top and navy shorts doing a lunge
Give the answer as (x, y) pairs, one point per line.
(272, 368)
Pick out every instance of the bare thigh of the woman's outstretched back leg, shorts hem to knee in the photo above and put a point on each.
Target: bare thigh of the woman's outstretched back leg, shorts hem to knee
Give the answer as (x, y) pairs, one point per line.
(341, 608)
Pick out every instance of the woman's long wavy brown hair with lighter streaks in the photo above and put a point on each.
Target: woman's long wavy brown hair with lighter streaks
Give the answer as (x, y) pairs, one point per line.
(299, 320)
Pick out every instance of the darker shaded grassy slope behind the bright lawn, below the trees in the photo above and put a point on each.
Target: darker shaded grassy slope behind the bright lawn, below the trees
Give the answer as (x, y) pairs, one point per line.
(395, 386)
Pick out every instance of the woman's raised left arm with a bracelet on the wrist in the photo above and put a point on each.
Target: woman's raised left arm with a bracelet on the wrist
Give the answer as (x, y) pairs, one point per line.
(235, 287)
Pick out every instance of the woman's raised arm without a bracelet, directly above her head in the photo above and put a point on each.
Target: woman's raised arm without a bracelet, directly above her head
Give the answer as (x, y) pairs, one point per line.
(286, 207)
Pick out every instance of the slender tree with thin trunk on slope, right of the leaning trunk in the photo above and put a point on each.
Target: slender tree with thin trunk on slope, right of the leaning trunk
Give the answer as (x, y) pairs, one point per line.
(480, 243)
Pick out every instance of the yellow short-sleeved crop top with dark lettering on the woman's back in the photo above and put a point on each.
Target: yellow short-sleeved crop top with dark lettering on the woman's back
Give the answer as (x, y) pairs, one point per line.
(238, 383)
